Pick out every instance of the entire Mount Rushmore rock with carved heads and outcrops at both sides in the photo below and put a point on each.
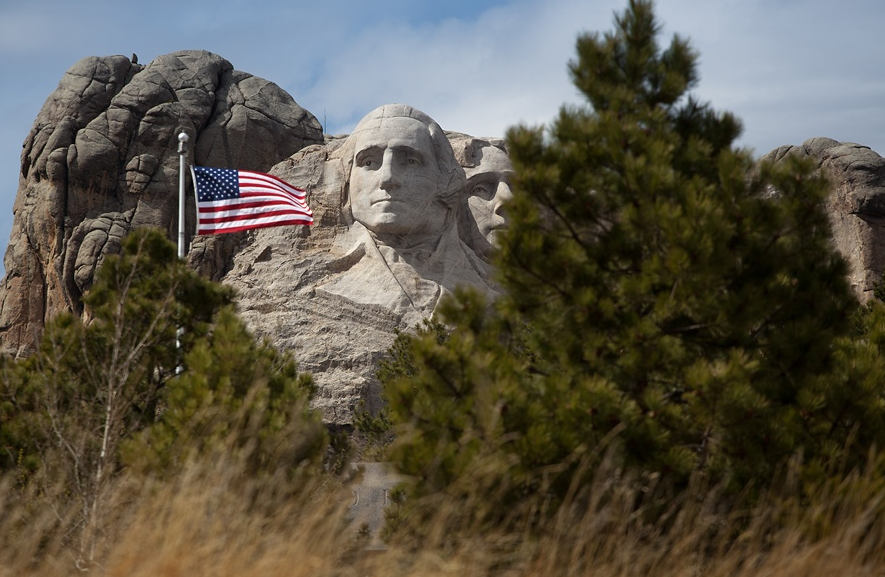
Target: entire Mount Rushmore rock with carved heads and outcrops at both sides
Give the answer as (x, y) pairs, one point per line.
(404, 211)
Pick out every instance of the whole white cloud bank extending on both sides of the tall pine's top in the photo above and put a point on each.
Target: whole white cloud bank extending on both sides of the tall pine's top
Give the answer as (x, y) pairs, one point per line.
(785, 68)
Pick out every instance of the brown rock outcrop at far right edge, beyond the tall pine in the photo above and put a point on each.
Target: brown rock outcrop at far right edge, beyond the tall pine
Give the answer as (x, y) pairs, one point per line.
(856, 205)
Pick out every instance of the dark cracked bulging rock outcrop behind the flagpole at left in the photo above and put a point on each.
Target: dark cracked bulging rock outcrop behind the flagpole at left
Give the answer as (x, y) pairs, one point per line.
(102, 158)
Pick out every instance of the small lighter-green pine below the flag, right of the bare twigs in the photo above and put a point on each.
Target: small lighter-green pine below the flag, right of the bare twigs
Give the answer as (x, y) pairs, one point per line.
(237, 396)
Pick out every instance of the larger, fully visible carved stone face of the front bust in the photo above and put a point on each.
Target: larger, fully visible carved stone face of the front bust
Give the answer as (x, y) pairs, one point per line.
(395, 178)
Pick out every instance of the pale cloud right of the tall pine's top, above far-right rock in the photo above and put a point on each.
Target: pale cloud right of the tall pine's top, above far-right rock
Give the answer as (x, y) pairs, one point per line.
(791, 70)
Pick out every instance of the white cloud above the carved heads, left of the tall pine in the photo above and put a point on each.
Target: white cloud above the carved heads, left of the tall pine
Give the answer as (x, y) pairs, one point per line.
(480, 76)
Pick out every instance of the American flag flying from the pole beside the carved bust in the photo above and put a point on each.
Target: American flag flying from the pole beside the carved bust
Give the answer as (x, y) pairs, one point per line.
(231, 200)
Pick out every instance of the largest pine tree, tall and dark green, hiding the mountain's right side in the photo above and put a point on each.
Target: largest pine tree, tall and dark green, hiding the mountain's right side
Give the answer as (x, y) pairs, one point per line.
(668, 302)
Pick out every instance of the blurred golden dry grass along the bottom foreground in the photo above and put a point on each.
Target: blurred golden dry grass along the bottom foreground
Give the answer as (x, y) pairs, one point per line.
(210, 522)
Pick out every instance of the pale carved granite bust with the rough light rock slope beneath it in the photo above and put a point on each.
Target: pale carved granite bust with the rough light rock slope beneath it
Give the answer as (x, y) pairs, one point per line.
(336, 292)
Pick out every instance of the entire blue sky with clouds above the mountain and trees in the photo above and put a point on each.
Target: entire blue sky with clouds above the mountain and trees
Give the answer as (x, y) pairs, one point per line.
(789, 69)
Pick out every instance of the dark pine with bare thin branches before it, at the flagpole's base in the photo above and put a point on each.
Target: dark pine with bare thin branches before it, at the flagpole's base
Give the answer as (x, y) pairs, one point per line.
(111, 370)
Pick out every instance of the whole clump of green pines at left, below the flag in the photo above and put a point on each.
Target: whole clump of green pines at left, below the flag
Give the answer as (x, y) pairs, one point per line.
(162, 371)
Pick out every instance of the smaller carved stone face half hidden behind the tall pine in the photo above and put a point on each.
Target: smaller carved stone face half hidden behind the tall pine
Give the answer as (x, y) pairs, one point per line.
(488, 186)
